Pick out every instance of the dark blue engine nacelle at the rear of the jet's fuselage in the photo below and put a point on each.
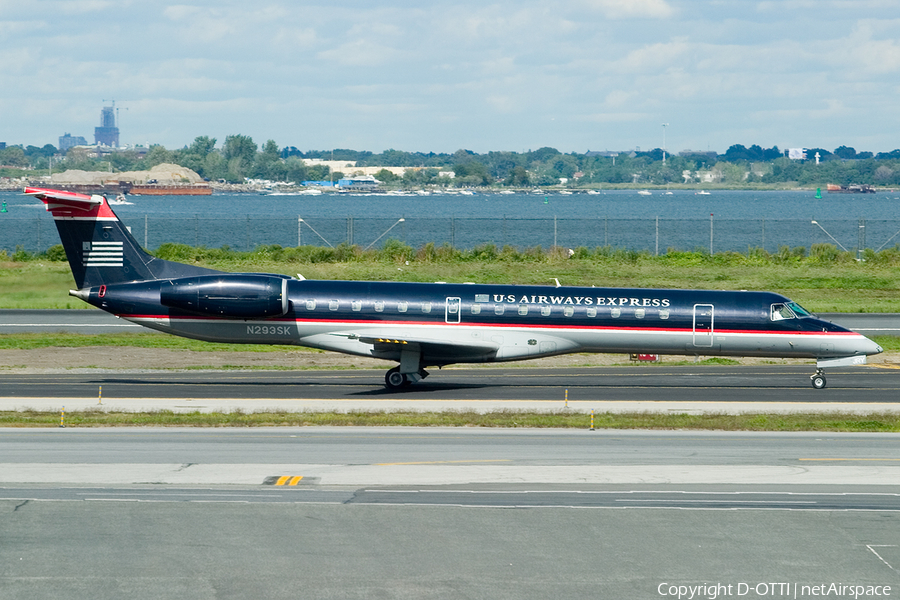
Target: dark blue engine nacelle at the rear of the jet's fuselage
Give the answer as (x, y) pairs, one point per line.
(239, 296)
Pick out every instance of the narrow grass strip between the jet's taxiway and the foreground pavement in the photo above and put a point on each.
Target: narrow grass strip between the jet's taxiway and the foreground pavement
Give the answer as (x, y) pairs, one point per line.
(833, 422)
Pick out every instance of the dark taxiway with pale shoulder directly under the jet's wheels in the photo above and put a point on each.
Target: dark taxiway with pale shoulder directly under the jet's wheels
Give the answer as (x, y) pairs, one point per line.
(772, 388)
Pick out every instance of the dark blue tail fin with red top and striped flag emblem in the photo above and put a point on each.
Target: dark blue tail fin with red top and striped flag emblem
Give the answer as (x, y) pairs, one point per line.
(100, 249)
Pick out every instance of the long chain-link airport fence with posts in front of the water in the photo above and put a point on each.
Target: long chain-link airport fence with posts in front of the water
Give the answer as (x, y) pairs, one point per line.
(655, 235)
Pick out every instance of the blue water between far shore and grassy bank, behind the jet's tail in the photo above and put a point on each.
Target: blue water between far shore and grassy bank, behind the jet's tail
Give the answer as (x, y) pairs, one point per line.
(735, 220)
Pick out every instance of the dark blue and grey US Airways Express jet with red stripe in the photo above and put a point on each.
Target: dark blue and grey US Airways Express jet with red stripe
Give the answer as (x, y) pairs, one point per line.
(423, 325)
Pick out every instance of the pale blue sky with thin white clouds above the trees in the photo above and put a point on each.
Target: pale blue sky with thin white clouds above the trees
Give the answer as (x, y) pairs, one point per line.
(440, 76)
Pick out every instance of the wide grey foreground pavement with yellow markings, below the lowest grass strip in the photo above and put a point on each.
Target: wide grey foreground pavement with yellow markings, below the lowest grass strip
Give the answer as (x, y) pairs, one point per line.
(440, 513)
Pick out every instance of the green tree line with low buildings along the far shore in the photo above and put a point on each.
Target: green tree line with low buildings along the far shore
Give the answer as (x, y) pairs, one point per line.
(239, 158)
